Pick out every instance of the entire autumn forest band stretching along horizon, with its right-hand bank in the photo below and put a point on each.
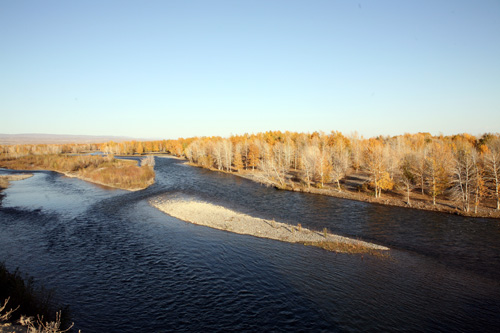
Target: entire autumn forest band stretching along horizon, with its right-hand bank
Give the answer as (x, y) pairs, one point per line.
(459, 172)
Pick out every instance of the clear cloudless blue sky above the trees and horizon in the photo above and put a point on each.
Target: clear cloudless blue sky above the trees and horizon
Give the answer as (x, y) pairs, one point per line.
(169, 69)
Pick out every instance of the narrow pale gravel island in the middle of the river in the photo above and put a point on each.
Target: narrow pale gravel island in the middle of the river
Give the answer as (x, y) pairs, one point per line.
(218, 217)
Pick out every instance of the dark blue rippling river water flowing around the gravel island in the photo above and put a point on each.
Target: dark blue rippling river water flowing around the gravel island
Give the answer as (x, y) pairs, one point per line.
(123, 266)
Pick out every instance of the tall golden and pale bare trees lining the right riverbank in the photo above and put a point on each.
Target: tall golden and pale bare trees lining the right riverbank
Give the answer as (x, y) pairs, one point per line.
(461, 167)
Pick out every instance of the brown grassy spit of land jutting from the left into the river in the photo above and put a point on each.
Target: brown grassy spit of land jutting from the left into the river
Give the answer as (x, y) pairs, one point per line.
(104, 170)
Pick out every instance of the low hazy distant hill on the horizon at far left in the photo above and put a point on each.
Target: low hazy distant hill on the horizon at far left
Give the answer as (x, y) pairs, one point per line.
(31, 138)
